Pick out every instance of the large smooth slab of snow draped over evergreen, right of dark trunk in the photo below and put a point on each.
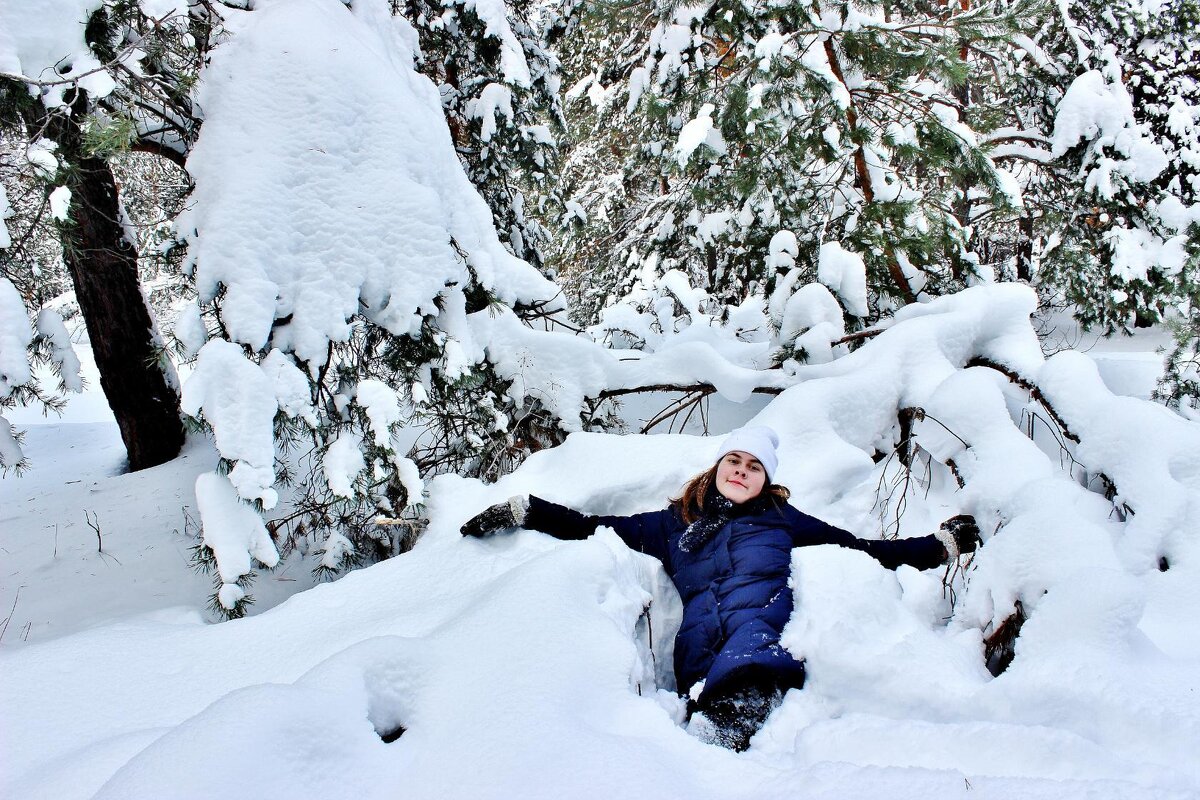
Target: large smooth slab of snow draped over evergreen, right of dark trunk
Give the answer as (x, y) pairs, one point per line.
(343, 227)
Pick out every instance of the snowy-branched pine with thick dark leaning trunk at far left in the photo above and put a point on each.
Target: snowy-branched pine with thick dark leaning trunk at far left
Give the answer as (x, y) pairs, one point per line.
(82, 83)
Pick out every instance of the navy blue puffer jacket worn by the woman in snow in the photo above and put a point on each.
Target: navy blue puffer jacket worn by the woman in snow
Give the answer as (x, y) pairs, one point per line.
(736, 599)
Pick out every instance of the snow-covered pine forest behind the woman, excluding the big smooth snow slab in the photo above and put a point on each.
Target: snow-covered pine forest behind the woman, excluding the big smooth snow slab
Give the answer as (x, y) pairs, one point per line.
(781, 173)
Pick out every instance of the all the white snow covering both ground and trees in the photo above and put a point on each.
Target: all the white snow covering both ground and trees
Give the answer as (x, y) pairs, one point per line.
(521, 666)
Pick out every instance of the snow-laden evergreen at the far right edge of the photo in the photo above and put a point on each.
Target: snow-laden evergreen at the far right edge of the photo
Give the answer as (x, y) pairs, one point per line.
(1102, 133)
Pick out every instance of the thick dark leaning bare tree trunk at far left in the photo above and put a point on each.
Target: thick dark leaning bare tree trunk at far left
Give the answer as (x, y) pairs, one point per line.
(104, 268)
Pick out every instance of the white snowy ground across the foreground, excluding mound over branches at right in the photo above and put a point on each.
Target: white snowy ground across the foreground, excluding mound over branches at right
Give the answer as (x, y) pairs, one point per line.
(524, 667)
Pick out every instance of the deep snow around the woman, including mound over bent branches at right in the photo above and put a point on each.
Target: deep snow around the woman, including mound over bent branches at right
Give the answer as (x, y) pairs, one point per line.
(519, 661)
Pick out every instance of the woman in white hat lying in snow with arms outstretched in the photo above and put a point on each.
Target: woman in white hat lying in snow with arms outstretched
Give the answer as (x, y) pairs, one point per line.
(727, 544)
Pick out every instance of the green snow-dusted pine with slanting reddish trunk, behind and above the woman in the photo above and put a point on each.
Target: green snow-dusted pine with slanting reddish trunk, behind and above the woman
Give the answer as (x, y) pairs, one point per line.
(825, 123)
